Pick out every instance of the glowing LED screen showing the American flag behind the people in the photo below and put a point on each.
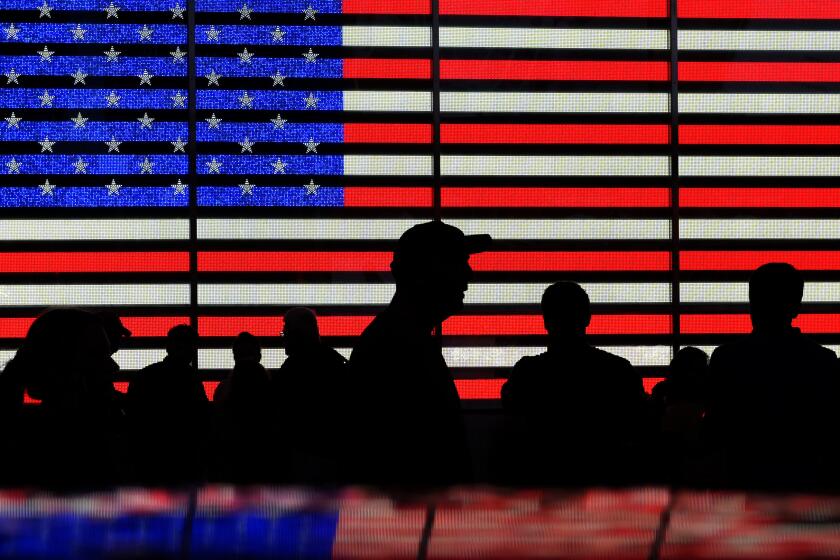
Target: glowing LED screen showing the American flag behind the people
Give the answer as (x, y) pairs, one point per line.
(218, 162)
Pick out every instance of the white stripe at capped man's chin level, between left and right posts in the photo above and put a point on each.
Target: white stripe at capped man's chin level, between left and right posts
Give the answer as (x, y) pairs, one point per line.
(380, 294)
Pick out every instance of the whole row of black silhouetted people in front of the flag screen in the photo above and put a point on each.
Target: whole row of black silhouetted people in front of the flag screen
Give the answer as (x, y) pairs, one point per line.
(763, 412)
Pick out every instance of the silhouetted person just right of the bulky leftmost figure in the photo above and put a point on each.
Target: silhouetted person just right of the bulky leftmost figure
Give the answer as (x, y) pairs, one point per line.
(168, 413)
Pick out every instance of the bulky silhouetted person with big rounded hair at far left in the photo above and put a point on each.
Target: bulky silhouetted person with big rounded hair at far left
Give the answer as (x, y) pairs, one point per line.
(68, 440)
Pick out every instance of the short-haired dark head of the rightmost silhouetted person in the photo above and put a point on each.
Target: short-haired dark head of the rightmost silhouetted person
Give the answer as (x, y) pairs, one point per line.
(775, 296)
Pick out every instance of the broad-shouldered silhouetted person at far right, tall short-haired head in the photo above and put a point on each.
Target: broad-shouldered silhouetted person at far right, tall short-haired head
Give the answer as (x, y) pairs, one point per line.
(773, 394)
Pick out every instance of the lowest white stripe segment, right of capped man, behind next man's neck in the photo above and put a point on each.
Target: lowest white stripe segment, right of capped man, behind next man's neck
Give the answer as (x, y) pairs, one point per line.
(494, 357)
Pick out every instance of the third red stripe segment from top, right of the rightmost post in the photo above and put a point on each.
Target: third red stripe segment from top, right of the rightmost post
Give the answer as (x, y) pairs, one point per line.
(759, 134)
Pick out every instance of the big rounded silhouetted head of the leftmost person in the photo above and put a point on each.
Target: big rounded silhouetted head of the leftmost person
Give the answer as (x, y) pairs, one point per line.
(64, 350)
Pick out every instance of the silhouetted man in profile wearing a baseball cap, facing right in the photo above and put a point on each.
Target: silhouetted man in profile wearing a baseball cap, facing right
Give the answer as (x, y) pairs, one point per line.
(411, 430)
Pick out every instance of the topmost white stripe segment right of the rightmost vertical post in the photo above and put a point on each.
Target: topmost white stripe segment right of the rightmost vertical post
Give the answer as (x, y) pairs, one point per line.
(751, 40)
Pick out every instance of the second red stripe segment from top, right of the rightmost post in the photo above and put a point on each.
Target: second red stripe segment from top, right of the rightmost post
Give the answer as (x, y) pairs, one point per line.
(759, 71)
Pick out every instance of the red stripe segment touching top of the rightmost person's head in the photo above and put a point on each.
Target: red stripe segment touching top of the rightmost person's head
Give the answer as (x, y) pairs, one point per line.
(750, 260)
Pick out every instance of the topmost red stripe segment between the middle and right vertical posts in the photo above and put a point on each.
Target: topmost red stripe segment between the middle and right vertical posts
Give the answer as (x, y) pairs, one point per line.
(556, 8)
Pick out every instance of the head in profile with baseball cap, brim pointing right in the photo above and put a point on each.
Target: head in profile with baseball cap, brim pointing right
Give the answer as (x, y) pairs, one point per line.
(432, 270)
